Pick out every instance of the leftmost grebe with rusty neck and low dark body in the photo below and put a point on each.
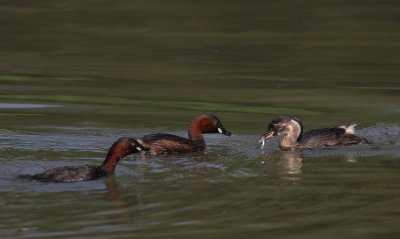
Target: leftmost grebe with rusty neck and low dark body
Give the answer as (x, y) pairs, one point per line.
(119, 149)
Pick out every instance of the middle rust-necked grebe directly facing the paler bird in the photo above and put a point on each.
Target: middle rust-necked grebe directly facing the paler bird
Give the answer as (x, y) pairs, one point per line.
(168, 143)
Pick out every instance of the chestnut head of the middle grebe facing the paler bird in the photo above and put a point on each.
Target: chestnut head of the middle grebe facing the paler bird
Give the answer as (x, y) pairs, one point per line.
(209, 123)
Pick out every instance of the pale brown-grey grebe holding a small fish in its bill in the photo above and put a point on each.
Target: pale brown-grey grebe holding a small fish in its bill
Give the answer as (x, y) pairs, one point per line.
(292, 130)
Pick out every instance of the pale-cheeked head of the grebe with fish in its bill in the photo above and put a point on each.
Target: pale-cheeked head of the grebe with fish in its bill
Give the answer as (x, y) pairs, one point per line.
(283, 125)
